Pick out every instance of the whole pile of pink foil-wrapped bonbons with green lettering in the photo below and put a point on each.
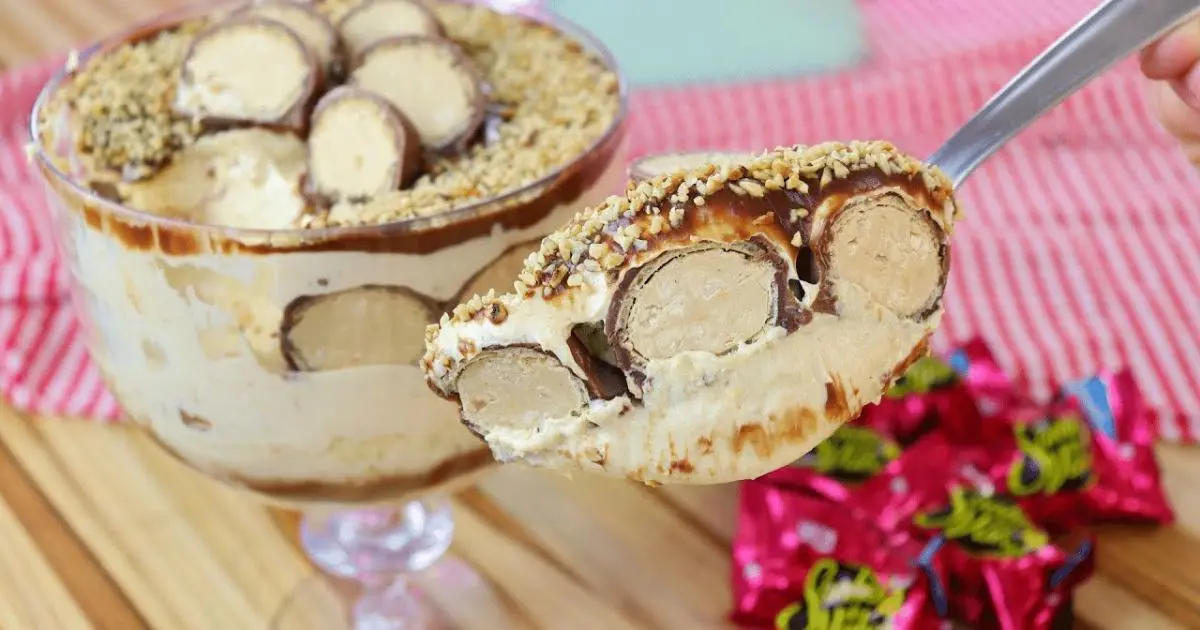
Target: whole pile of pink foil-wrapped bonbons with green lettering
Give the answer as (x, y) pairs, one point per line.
(992, 487)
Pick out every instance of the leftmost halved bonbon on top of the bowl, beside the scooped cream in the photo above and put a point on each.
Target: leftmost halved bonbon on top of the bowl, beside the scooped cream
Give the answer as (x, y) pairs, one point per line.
(249, 71)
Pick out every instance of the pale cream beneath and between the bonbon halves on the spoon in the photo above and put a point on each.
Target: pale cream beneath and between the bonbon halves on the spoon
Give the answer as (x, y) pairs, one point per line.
(809, 371)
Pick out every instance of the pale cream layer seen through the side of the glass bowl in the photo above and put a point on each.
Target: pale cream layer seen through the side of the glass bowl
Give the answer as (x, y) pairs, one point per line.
(191, 347)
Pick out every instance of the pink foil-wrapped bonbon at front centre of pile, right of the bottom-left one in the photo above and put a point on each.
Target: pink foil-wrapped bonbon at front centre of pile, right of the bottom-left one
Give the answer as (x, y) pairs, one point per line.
(1004, 572)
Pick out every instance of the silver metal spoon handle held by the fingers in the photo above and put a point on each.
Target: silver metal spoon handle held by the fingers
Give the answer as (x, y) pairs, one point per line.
(1106, 37)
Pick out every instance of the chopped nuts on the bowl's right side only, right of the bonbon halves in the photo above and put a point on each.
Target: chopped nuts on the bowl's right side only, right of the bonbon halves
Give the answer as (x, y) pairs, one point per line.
(557, 98)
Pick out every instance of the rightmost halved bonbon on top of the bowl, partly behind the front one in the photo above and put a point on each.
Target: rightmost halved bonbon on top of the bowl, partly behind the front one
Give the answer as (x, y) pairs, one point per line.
(431, 82)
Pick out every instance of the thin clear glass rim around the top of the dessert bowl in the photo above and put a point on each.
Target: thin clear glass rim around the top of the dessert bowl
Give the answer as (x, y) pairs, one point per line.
(411, 225)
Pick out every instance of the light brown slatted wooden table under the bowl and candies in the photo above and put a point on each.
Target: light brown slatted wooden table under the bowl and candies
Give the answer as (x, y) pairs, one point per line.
(99, 530)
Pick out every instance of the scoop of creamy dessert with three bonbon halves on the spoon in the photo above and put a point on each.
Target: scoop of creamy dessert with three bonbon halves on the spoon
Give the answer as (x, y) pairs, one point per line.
(711, 326)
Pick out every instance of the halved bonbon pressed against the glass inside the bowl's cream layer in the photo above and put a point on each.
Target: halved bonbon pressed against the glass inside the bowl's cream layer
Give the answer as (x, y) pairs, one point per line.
(358, 327)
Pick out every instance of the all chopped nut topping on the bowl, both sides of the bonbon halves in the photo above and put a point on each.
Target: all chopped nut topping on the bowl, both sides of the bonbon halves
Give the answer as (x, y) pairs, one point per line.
(553, 98)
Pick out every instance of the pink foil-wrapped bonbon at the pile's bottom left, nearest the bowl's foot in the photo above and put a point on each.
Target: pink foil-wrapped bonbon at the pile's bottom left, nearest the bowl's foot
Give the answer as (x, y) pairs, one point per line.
(803, 563)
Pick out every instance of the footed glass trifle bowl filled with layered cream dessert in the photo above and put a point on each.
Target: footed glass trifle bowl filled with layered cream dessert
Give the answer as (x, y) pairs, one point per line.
(255, 289)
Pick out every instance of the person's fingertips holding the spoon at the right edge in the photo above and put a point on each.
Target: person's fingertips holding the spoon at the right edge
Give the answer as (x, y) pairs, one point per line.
(1173, 64)
